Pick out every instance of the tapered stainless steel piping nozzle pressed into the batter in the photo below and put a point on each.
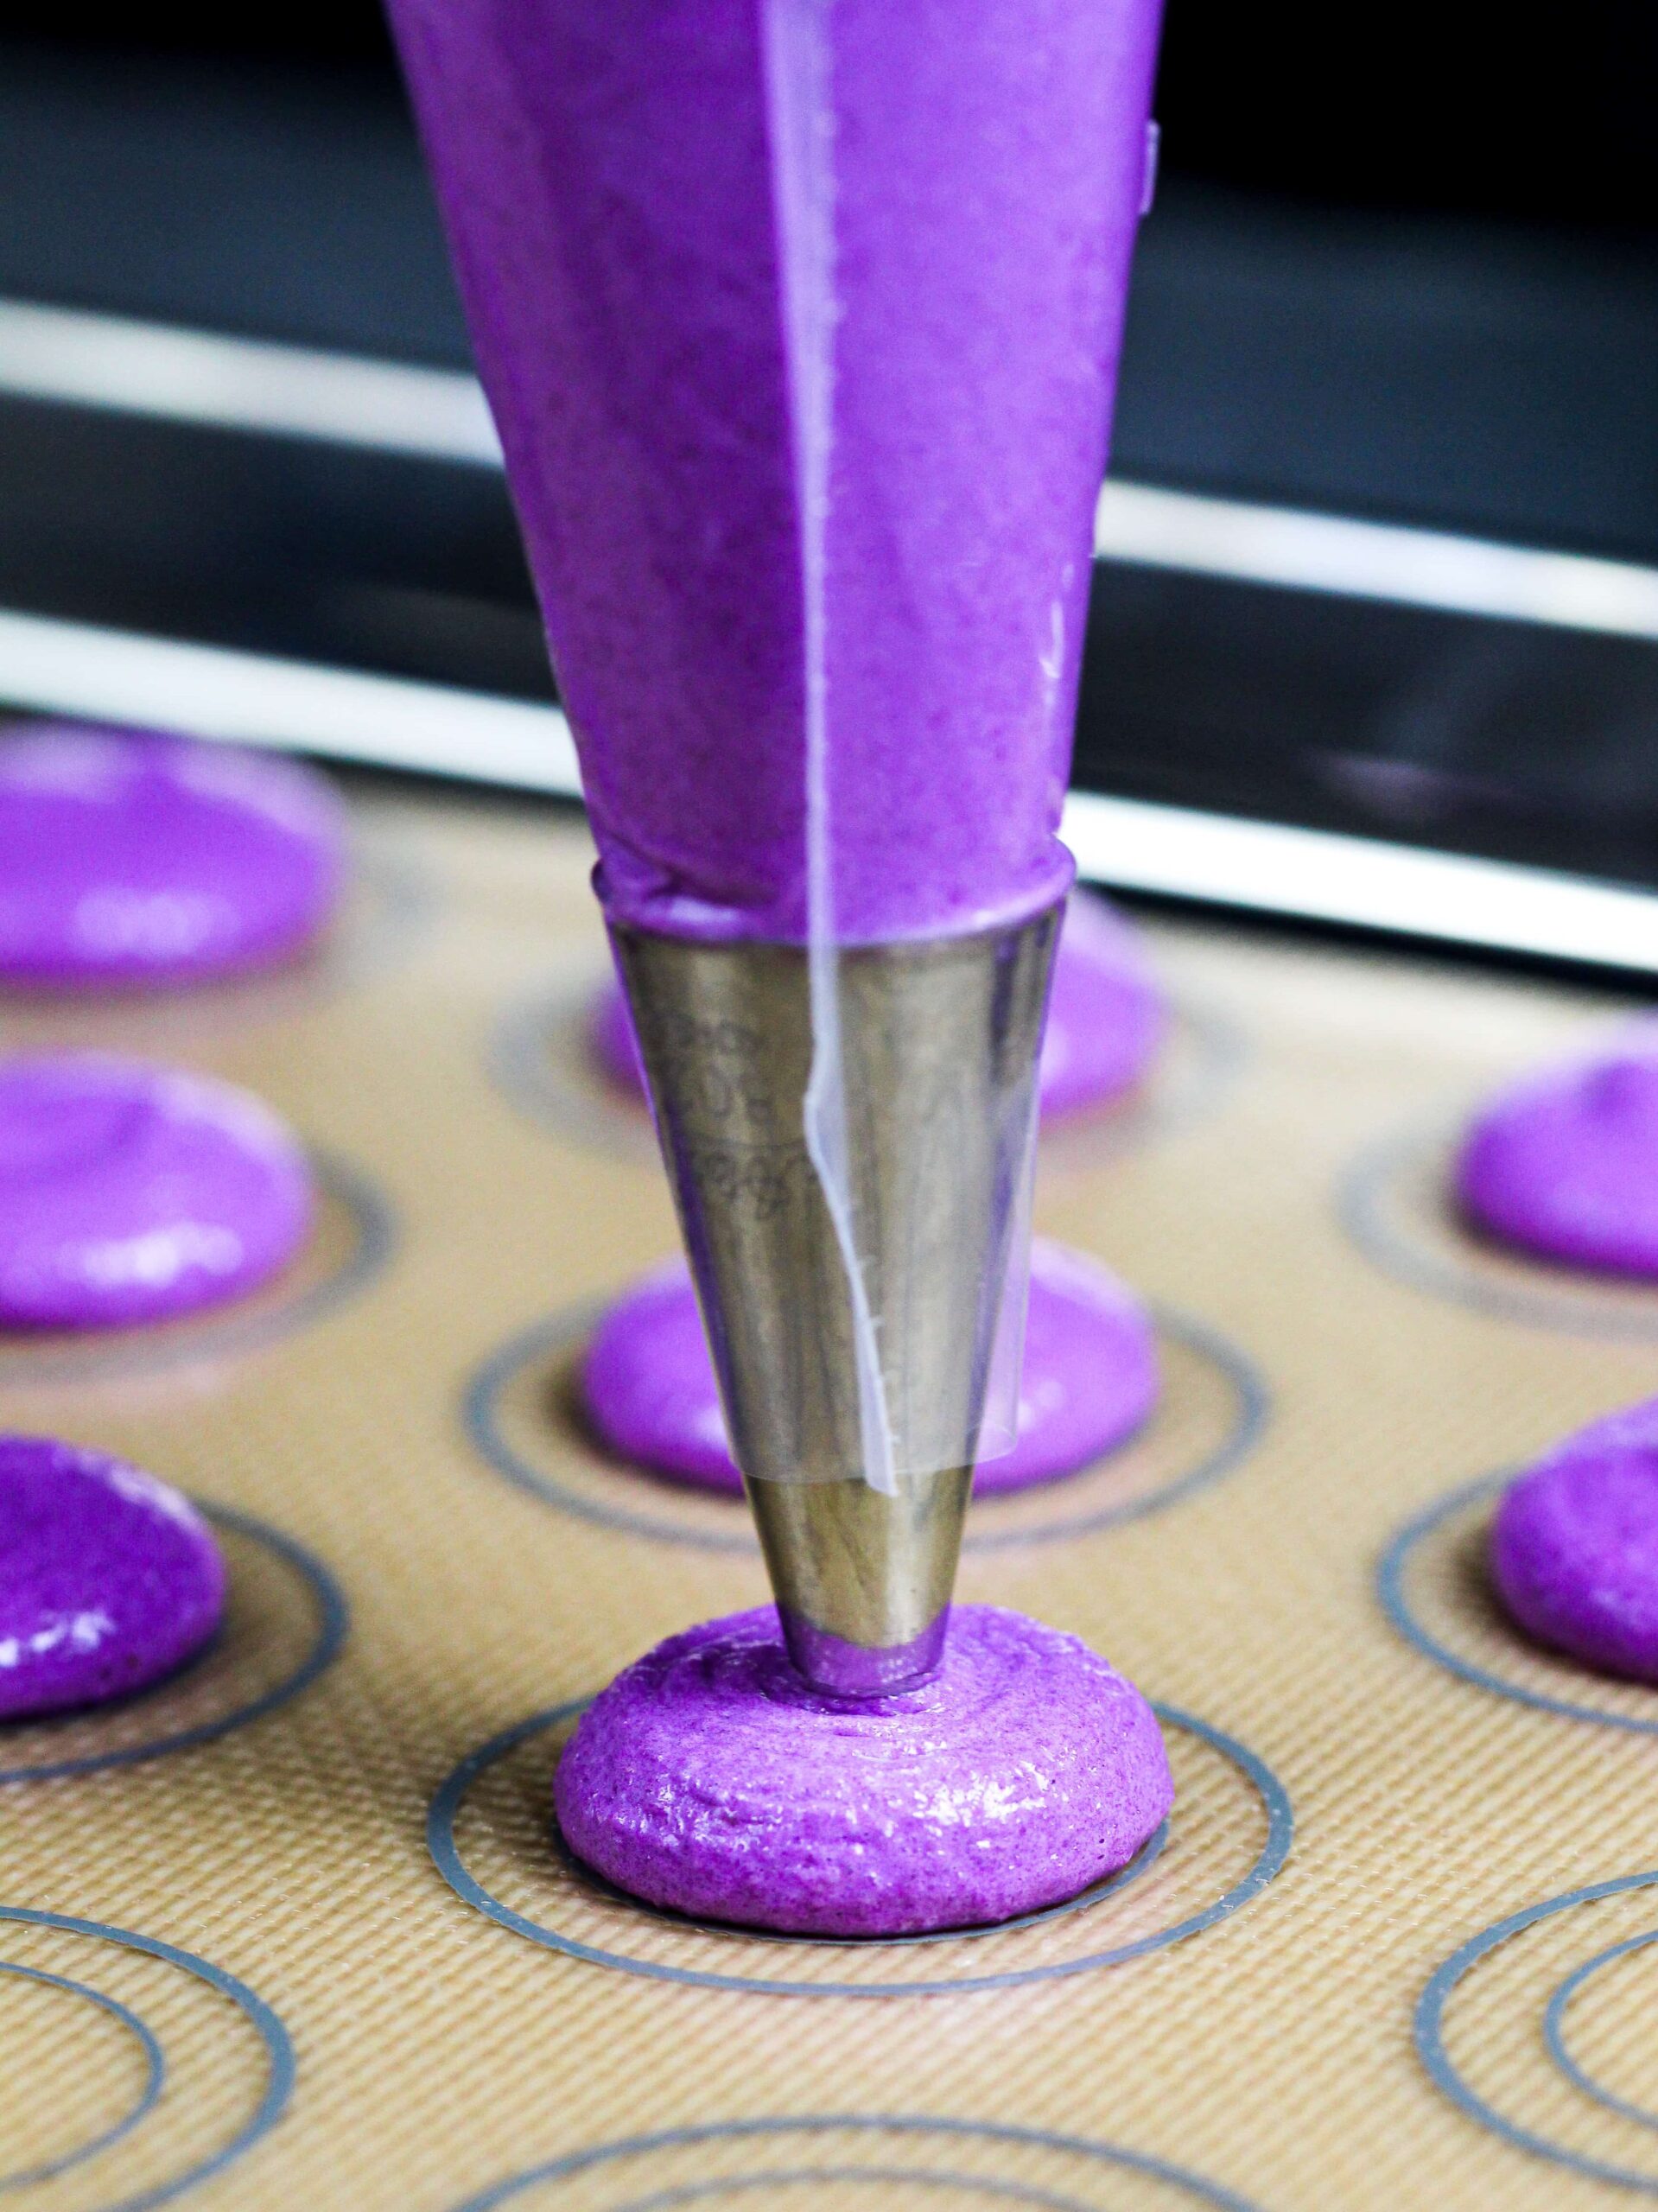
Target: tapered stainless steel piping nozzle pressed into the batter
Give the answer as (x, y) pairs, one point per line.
(941, 1056)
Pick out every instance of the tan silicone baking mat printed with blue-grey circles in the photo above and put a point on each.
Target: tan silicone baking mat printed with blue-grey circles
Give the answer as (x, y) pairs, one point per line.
(291, 1932)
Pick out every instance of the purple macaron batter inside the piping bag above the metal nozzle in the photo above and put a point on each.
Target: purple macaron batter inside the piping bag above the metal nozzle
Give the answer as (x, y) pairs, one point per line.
(642, 260)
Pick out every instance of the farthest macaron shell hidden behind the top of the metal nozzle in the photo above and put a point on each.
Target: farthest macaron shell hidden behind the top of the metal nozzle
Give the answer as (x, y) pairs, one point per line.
(1106, 1016)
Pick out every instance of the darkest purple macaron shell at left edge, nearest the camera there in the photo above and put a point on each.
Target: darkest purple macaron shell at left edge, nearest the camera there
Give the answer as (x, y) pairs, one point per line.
(107, 1578)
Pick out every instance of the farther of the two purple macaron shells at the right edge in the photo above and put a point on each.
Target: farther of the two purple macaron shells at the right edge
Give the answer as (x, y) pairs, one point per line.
(1566, 1162)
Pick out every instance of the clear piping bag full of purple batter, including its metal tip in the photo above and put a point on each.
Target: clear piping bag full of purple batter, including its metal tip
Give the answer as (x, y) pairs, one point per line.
(799, 322)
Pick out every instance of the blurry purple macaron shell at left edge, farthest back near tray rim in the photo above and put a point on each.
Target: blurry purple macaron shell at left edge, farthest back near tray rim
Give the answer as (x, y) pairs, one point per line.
(136, 859)
